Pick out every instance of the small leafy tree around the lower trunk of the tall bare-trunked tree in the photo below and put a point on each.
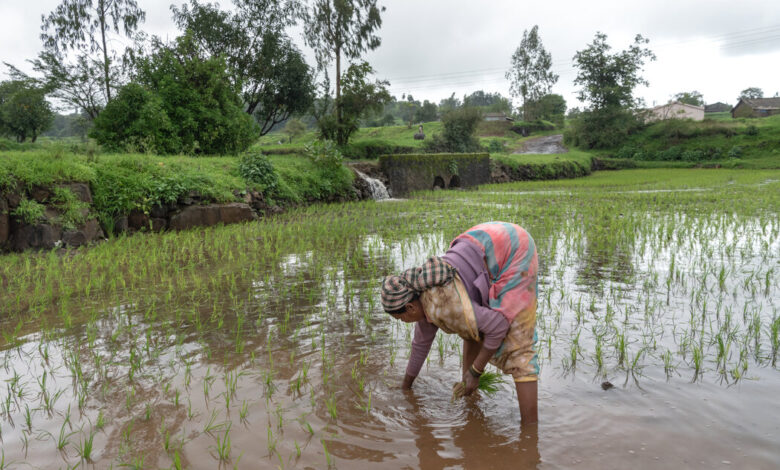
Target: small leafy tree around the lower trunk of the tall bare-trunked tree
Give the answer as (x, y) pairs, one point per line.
(359, 98)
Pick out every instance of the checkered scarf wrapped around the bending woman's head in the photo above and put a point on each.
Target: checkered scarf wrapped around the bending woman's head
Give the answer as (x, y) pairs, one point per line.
(397, 291)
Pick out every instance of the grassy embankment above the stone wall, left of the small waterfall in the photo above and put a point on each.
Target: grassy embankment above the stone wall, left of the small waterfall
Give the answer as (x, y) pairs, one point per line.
(121, 183)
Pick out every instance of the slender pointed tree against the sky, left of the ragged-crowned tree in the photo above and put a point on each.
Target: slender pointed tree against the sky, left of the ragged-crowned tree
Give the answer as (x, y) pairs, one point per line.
(530, 75)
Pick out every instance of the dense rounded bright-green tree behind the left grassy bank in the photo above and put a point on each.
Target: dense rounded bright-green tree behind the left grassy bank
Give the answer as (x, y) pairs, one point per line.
(181, 103)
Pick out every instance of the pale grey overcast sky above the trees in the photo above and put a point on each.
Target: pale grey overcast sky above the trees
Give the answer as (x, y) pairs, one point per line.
(432, 48)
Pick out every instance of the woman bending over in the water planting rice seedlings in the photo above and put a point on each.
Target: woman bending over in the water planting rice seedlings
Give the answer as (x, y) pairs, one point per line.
(484, 289)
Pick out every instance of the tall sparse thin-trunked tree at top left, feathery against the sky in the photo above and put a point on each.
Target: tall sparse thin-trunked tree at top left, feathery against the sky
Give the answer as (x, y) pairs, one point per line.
(84, 26)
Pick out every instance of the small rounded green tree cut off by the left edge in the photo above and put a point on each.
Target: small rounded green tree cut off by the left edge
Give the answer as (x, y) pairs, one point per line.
(24, 111)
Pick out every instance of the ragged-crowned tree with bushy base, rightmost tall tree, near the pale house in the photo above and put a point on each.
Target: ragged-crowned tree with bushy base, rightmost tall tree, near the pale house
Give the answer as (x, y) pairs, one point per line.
(607, 82)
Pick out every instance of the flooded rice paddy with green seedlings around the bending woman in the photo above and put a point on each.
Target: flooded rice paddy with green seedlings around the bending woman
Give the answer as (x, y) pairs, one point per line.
(264, 345)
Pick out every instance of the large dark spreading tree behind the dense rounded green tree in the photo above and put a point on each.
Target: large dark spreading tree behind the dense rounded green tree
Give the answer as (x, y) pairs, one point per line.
(273, 77)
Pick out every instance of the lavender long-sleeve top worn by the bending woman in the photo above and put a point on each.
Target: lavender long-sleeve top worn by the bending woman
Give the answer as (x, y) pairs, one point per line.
(468, 259)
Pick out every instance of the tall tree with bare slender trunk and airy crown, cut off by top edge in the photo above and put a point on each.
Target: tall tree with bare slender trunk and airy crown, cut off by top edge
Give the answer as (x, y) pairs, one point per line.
(342, 27)
